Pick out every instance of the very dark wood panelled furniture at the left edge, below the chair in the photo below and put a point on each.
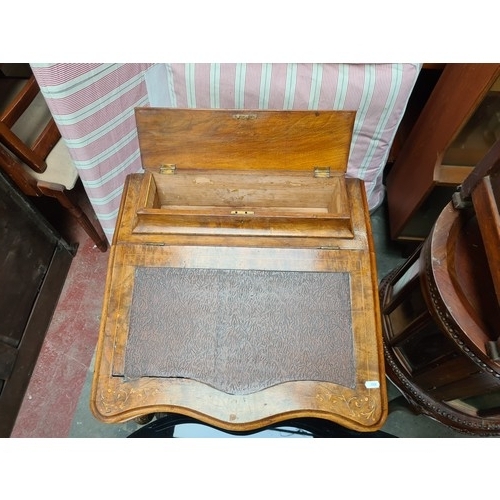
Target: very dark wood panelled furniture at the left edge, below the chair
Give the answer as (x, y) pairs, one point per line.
(34, 261)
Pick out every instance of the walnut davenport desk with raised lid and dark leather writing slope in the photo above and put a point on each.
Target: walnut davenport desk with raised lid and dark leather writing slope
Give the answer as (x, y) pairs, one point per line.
(242, 287)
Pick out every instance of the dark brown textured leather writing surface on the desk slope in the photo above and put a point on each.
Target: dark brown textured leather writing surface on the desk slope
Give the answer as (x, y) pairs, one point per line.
(241, 331)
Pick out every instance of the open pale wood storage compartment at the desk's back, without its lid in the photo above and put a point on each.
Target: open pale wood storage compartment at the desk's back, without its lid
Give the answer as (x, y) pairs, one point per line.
(257, 203)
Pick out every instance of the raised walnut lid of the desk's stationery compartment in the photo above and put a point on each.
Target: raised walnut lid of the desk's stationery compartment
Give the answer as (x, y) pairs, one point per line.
(244, 139)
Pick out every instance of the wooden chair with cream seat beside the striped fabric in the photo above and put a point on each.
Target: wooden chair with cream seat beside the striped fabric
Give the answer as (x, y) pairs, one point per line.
(33, 153)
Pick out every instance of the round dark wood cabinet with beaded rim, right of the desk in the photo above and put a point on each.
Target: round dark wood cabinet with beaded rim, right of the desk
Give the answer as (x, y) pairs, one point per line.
(441, 311)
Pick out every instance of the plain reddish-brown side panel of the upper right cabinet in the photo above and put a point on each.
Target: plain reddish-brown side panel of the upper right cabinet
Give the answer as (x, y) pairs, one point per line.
(453, 100)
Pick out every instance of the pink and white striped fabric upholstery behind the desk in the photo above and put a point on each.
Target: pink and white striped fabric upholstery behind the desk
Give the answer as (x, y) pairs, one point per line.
(93, 106)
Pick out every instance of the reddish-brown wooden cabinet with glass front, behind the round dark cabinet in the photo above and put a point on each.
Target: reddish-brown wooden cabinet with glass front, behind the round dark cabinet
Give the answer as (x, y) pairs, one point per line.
(458, 124)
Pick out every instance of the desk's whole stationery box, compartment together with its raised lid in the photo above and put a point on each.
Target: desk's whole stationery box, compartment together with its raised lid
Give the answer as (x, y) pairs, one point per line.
(244, 173)
